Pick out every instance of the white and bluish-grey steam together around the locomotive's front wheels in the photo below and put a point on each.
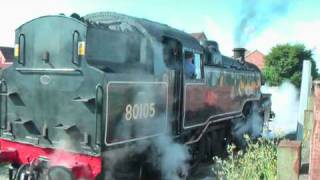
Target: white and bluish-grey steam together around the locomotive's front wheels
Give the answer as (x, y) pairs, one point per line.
(284, 104)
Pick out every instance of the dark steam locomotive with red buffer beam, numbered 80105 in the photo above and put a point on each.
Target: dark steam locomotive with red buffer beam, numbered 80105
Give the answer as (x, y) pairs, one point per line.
(82, 87)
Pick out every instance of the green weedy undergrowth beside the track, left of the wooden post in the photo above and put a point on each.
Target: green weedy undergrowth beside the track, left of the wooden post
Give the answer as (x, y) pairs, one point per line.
(259, 162)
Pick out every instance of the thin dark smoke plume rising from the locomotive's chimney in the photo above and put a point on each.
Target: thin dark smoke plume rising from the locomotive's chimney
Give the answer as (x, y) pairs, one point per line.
(255, 16)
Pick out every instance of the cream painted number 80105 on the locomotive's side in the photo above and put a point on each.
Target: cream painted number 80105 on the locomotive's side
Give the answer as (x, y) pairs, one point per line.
(140, 111)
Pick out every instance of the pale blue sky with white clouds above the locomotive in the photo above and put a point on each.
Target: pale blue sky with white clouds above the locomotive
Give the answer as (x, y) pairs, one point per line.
(267, 22)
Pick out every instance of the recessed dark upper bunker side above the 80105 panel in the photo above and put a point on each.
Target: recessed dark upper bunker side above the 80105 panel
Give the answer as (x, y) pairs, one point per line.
(117, 51)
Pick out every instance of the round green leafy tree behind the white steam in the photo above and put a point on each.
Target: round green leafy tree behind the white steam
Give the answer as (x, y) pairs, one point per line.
(285, 62)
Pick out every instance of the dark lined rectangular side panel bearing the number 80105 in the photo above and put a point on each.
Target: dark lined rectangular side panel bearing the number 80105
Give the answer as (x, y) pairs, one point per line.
(135, 110)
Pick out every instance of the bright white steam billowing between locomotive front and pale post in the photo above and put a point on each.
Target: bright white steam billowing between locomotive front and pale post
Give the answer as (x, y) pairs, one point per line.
(285, 105)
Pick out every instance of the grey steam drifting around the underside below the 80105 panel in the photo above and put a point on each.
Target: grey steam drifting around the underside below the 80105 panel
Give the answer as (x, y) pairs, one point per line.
(160, 154)
